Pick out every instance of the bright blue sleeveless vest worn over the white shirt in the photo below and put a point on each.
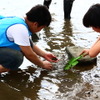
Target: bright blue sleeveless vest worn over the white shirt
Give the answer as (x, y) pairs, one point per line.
(5, 23)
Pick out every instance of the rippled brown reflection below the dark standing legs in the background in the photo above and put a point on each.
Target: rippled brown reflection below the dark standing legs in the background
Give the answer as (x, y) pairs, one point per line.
(59, 41)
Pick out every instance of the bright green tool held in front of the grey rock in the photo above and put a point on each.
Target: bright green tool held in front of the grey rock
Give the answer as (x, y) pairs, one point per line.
(72, 62)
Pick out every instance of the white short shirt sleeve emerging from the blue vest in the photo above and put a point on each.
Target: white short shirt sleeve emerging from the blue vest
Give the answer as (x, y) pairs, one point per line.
(19, 34)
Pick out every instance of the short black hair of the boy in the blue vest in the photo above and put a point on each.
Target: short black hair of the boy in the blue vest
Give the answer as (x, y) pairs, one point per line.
(39, 14)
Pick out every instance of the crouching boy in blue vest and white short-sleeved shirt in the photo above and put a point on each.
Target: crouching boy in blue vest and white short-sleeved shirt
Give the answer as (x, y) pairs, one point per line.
(15, 39)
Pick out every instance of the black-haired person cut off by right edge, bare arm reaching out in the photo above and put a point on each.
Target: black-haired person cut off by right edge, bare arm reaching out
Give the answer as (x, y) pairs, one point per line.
(92, 20)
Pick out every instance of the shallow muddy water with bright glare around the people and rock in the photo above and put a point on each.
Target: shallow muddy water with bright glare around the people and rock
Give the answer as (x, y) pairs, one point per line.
(32, 83)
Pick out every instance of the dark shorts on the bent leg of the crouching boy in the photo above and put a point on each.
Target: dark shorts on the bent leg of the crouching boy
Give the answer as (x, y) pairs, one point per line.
(10, 58)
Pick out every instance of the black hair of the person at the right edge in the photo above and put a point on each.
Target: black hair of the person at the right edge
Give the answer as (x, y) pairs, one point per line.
(92, 16)
